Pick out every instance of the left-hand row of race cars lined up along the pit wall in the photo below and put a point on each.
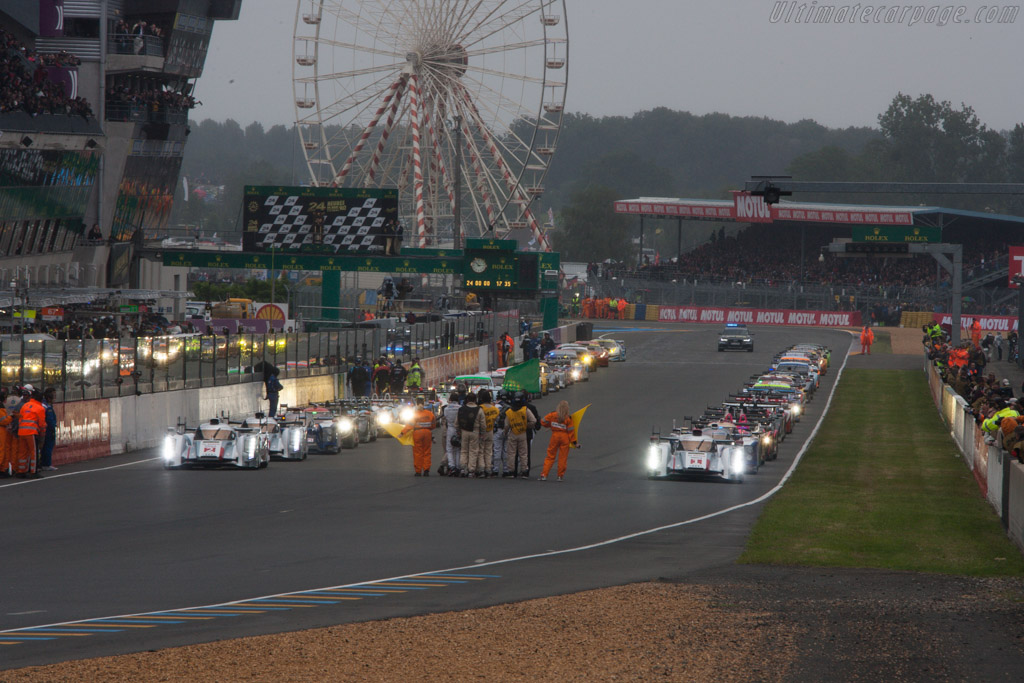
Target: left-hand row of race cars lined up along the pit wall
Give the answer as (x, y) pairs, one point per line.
(253, 442)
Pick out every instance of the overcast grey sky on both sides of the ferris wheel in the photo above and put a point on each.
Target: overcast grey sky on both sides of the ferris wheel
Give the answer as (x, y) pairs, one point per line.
(699, 56)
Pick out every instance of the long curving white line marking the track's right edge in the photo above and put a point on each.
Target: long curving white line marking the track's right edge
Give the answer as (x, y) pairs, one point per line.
(522, 559)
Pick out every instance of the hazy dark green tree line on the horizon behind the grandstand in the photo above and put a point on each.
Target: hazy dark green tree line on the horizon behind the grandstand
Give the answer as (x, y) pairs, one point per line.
(665, 153)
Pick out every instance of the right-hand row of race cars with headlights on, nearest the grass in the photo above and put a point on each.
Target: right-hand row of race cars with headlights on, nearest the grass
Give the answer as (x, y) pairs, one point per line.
(736, 439)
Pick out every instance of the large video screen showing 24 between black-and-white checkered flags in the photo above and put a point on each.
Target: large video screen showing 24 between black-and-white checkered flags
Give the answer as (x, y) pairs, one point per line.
(336, 221)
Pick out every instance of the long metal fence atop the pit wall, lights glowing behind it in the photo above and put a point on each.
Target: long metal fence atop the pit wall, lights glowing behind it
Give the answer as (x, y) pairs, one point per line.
(109, 368)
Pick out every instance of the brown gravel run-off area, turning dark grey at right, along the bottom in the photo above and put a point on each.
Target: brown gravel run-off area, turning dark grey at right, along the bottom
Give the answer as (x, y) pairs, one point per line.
(744, 623)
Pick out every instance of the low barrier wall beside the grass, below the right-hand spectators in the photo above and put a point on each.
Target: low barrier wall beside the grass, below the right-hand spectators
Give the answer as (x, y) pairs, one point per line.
(1000, 477)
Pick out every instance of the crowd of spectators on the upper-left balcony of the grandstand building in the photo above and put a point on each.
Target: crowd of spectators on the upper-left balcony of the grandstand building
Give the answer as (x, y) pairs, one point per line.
(25, 86)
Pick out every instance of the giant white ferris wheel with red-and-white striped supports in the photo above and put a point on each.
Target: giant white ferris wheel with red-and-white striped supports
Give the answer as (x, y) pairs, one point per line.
(457, 104)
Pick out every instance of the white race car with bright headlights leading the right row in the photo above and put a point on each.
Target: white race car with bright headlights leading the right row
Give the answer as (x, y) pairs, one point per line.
(692, 453)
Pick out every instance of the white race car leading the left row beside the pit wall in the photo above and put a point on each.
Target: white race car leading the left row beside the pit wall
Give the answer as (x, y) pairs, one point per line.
(217, 444)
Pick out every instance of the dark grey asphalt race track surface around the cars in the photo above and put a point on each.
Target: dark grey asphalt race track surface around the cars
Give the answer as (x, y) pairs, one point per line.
(123, 537)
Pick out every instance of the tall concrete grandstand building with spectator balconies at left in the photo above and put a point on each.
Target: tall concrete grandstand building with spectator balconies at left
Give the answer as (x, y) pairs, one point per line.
(104, 150)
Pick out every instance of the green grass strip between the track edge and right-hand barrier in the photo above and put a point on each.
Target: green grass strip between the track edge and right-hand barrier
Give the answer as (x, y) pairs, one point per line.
(883, 486)
